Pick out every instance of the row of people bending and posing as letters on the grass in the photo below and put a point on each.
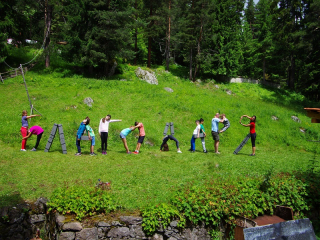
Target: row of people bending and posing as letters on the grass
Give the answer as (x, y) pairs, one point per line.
(199, 132)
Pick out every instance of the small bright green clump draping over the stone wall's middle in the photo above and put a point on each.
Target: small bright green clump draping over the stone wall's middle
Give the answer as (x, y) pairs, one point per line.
(161, 215)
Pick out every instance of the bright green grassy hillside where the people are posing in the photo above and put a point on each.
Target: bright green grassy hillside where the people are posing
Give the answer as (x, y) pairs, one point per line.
(151, 176)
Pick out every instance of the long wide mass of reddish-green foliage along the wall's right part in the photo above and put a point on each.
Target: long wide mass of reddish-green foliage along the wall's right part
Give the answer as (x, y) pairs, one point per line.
(224, 199)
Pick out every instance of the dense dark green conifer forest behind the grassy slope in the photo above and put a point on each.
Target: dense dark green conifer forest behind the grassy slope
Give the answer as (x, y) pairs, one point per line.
(273, 40)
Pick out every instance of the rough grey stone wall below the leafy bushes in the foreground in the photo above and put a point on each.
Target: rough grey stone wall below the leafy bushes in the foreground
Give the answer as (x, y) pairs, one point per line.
(25, 220)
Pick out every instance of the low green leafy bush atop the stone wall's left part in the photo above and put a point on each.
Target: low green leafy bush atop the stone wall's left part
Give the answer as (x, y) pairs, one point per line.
(81, 201)
